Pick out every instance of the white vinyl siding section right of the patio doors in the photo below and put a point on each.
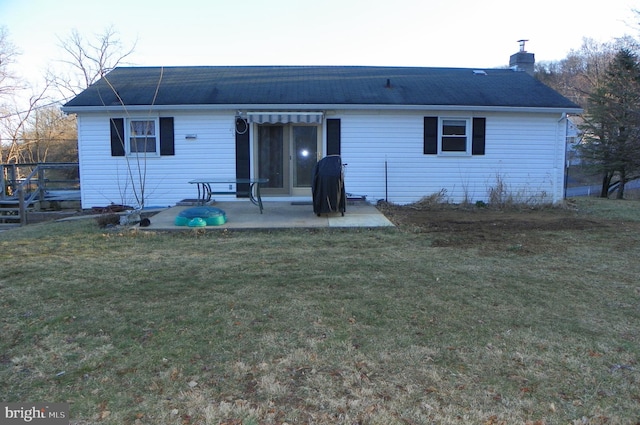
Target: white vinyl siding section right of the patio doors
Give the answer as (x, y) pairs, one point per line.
(384, 157)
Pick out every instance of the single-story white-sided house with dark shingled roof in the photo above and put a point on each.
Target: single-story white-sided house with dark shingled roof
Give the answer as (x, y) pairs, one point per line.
(404, 133)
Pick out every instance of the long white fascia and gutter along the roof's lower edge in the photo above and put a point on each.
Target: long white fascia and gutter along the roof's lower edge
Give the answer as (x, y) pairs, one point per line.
(303, 107)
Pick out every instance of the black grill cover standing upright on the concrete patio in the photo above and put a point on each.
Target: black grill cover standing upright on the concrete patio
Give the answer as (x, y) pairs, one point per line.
(327, 186)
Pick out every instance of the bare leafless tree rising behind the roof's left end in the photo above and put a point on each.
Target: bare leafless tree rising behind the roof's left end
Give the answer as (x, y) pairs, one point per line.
(88, 61)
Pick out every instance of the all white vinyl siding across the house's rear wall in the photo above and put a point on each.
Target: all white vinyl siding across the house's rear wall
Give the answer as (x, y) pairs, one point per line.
(384, 151)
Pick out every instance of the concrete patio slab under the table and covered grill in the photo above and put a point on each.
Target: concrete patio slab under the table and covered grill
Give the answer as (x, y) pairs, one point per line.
(277, 215)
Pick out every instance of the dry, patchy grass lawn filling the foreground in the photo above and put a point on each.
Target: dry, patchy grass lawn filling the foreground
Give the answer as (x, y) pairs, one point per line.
(459, 316)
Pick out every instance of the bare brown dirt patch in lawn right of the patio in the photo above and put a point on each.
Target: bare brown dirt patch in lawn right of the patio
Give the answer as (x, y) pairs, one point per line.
(522, 230)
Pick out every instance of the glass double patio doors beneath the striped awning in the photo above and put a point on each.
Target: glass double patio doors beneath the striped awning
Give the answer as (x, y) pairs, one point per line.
(286, 155)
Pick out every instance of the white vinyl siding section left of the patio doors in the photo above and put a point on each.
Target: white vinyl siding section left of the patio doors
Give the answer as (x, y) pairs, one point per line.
(107, 179)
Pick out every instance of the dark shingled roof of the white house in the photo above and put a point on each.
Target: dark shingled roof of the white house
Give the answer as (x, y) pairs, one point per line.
(319, 85)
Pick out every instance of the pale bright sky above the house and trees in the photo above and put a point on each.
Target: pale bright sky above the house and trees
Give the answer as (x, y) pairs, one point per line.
(432, 33)
